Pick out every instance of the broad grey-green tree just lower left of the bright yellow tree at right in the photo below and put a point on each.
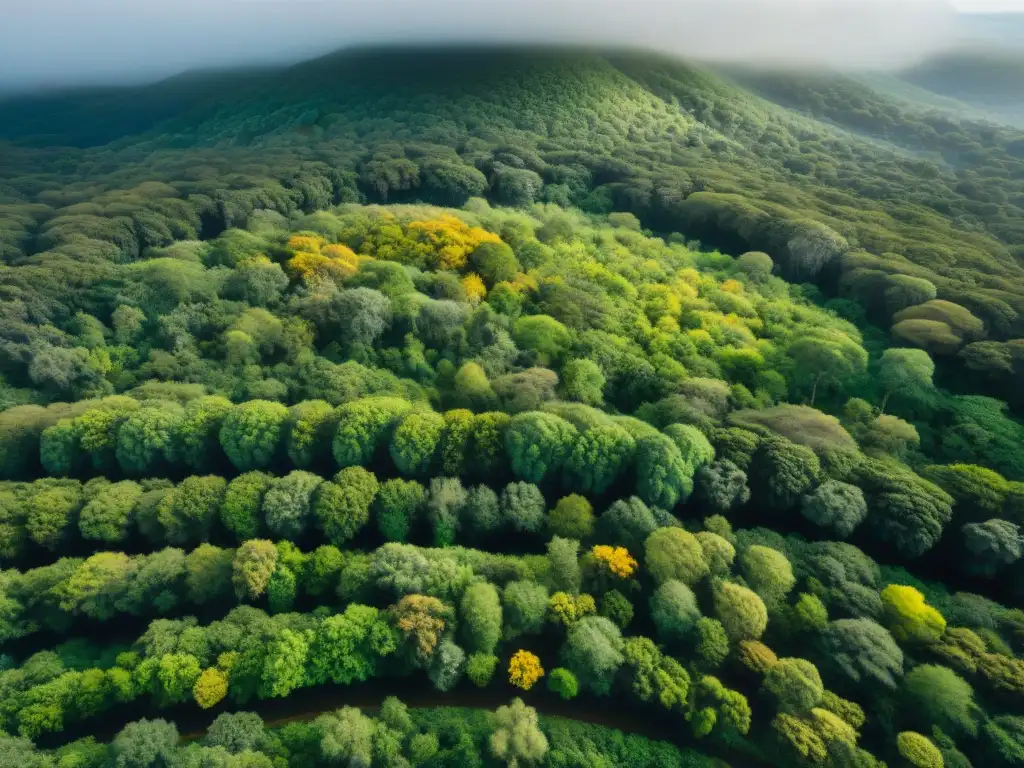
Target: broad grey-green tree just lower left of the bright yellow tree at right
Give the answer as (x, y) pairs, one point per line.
(863, 651)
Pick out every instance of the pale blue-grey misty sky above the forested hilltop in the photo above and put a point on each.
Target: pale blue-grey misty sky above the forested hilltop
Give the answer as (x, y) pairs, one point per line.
(70, 42)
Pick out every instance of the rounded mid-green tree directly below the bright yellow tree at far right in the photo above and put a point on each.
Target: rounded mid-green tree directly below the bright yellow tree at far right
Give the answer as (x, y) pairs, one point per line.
(938, 696)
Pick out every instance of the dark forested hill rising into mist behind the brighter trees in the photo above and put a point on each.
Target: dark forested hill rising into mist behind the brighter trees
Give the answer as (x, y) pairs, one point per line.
(104, 176)
